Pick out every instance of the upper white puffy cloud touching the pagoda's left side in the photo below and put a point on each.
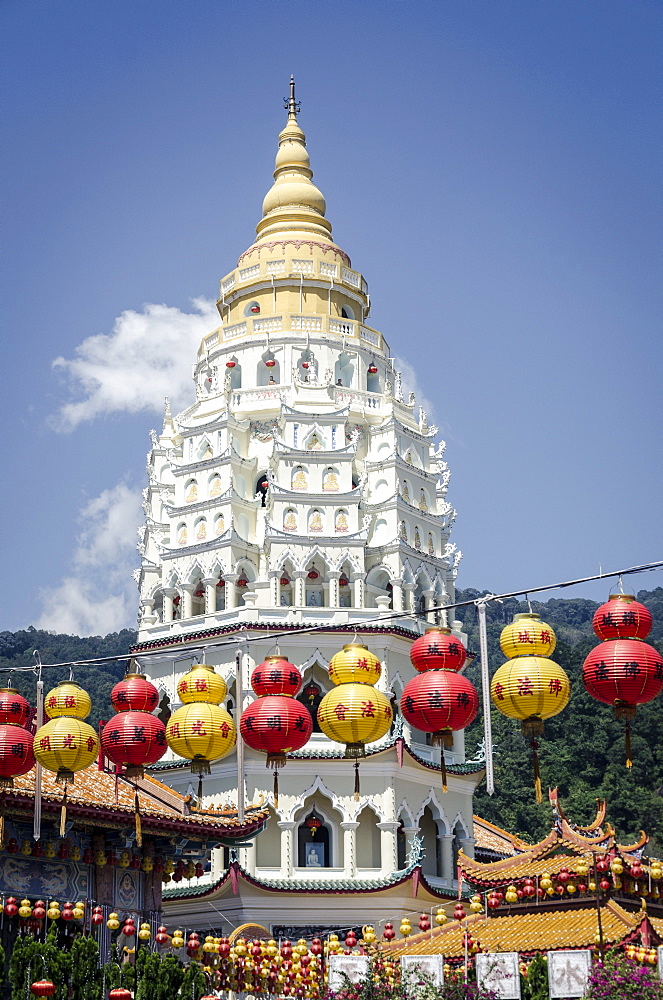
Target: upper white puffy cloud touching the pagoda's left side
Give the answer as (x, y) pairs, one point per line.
(147, 356)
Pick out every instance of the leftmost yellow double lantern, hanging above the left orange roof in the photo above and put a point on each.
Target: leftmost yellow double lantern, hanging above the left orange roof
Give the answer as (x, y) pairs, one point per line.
(66, 744)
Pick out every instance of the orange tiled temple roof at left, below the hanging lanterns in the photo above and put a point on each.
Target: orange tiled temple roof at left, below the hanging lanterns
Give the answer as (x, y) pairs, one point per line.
(97, 797)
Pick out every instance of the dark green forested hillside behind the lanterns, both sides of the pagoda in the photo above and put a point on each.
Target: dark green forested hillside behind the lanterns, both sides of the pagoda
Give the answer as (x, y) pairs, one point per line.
(582, 750)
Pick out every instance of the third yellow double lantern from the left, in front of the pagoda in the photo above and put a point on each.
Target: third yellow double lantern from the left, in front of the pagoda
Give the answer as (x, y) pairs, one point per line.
(354, 712)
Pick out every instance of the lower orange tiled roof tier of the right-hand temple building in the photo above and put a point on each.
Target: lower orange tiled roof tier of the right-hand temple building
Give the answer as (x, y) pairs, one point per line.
(566, 927)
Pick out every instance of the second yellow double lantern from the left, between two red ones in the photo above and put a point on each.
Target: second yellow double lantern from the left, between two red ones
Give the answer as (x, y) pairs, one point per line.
(201, 731)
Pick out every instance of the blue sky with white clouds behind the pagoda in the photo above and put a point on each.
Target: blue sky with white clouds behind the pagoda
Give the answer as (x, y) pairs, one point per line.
(493, 168)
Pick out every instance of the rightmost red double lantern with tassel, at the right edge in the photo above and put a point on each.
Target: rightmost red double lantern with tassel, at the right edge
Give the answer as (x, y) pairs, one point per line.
(623, 670)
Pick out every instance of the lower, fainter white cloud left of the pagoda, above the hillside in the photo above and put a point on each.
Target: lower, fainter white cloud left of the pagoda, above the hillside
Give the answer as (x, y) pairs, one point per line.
(99, 595)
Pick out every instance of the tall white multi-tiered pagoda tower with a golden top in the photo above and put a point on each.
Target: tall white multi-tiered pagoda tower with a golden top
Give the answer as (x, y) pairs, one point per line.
(301, 496)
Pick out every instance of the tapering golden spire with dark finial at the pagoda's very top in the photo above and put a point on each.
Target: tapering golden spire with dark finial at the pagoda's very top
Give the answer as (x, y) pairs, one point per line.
(293, 203)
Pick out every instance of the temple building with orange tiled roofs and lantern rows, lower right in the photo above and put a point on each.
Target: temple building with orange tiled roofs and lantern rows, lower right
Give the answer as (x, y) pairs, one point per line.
(577, 888)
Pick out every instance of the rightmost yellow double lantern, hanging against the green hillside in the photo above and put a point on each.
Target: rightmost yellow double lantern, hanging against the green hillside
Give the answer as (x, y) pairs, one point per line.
(530, 687)
